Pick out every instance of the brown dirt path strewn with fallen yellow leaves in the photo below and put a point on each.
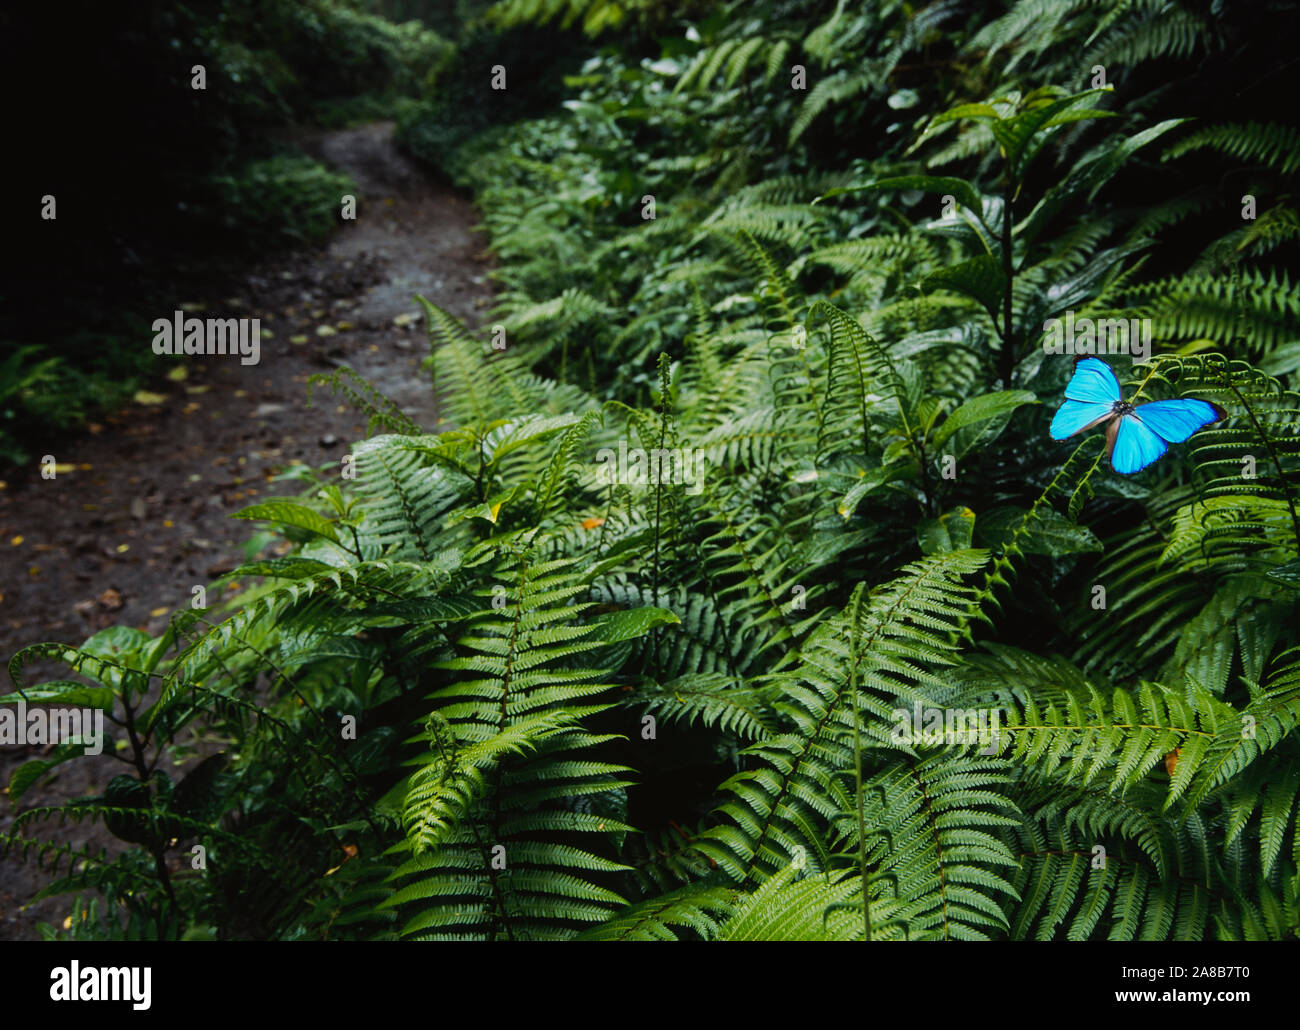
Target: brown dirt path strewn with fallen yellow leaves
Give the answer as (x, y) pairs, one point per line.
(144, 514)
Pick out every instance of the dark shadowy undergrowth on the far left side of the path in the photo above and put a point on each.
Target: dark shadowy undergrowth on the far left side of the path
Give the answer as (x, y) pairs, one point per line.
(164, 181)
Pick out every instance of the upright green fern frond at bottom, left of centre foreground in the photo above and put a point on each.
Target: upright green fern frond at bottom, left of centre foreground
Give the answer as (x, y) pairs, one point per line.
(505, 767)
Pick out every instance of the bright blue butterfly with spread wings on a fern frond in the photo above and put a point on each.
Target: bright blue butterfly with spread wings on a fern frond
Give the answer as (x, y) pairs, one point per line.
(1137, 435)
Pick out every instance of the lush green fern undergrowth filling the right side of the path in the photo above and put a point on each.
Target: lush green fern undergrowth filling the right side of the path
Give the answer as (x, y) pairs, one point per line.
(512, 683)
